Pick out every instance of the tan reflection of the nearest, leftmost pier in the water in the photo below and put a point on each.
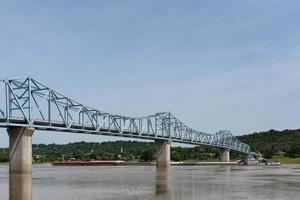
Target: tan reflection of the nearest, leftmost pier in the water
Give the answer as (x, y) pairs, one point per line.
(20, 186)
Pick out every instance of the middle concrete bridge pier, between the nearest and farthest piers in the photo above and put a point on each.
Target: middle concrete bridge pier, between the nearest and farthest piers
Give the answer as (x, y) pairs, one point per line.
(163, 153)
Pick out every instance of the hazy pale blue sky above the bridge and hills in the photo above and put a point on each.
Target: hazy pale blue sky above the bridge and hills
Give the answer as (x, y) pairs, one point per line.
(215, 64)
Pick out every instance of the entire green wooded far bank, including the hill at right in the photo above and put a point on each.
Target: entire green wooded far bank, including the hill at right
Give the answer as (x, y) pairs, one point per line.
(268, 143)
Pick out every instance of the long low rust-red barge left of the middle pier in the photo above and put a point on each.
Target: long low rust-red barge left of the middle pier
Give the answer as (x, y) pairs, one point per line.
(88, 163)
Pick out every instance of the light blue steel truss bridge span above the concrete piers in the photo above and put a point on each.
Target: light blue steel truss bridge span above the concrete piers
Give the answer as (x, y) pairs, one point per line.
(25, 102)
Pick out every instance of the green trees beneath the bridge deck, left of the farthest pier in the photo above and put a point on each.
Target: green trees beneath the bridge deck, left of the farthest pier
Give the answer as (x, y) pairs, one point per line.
(118, 150)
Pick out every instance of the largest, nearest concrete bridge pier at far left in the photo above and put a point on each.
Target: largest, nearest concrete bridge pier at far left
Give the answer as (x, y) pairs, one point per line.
(20, 147)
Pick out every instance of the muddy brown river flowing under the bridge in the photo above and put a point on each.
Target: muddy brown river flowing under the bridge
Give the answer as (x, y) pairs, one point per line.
(145, 182)
